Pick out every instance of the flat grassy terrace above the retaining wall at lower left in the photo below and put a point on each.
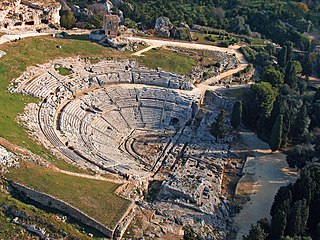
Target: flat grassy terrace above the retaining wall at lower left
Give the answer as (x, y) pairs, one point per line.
(95, 198)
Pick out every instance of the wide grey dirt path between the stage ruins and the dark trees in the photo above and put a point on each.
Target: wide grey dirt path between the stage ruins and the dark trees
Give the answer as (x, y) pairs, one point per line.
(271, 172)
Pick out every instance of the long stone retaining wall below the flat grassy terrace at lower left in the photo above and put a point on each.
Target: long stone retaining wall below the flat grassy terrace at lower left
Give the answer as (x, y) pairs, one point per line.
(52, 202)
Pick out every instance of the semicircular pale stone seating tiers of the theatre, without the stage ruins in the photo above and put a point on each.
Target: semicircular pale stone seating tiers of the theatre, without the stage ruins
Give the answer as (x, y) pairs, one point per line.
(90, 115)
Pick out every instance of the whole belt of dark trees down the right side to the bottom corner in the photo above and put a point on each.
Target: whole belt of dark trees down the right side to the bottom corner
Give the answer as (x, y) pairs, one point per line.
(284, 111)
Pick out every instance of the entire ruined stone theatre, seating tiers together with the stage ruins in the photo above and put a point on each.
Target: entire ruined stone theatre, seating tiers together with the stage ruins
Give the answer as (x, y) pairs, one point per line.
(118, 117)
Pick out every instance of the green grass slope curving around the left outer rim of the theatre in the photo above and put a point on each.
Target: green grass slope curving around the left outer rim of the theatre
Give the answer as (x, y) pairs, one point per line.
(28, 52)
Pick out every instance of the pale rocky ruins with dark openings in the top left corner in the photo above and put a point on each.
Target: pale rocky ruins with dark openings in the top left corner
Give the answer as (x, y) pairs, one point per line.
(25, 13)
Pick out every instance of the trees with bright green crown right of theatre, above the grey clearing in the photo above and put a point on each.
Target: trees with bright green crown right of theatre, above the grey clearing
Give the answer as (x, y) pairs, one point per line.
(282, 108)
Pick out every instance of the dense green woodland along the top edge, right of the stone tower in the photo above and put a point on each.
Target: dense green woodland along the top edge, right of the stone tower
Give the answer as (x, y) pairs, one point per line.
(277, 20)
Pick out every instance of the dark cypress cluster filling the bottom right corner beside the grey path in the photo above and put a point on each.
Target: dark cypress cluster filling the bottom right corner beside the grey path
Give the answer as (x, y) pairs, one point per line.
(295, 211)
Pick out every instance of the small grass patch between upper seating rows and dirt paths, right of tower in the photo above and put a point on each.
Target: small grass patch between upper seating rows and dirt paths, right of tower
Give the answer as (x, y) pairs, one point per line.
(168, 60)
